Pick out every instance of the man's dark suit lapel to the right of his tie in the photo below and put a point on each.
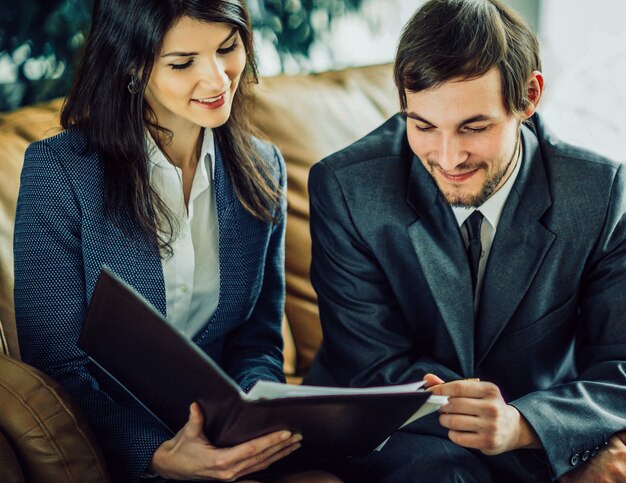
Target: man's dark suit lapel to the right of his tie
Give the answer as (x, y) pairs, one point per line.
(518, 249)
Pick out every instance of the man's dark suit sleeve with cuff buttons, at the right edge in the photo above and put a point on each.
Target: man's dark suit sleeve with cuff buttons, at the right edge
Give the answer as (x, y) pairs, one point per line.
(574, 419)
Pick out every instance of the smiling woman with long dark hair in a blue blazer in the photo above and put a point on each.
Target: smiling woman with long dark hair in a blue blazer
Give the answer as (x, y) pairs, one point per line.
(158, 177)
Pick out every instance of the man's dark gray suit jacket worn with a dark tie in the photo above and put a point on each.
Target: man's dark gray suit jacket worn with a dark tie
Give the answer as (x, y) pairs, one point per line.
(395, 294)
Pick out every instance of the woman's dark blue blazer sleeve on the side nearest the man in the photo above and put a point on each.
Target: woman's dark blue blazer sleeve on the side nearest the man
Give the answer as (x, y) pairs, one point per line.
(254, 350)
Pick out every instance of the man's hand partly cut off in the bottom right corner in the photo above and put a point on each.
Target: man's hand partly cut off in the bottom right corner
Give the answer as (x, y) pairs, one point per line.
(608, 466)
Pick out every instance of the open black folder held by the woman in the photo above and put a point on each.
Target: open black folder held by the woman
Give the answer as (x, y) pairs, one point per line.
(132, 342)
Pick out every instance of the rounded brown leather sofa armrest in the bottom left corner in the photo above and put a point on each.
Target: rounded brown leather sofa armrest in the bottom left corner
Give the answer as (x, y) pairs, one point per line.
(45, 429)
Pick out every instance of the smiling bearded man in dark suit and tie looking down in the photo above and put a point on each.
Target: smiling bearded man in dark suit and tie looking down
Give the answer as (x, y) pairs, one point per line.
(462, 243)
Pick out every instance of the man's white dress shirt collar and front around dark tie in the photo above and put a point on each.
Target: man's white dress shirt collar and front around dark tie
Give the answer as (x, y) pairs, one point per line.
(491, 210)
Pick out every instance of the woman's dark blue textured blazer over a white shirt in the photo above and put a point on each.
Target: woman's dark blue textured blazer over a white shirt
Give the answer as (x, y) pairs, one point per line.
(63, 238)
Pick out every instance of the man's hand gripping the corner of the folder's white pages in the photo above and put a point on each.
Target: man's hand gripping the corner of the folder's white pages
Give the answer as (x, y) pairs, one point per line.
(478, 417)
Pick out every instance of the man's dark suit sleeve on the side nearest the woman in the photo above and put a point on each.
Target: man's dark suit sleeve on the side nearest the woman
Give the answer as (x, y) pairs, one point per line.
(366, 339)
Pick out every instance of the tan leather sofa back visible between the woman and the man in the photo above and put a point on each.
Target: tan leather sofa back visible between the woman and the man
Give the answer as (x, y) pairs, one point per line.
(309, 117)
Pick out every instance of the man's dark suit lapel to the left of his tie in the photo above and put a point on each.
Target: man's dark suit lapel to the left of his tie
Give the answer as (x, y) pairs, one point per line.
(439, 247)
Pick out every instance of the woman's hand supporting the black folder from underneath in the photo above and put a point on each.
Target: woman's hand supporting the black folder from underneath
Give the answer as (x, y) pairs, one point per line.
(190, 456)
